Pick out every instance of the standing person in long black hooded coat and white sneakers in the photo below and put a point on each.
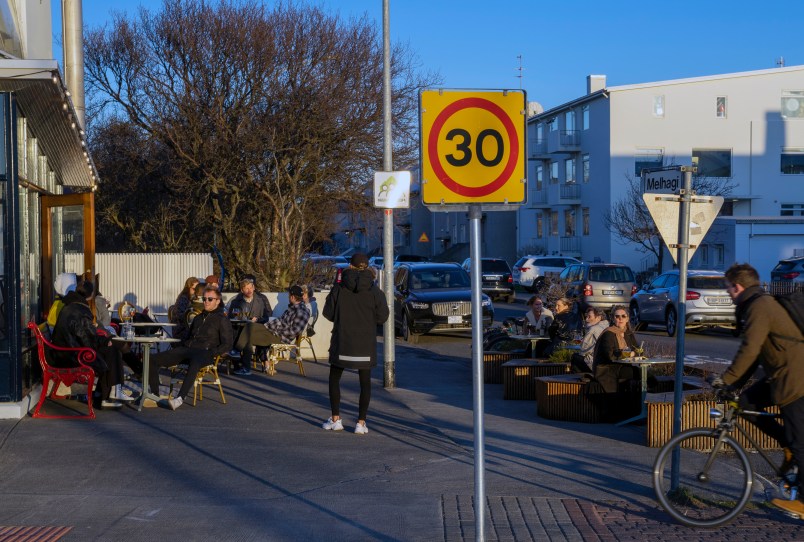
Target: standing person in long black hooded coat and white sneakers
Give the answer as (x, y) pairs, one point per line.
(355, 306)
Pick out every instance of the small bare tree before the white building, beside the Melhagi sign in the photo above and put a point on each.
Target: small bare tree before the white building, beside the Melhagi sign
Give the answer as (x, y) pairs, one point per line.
(631, 224)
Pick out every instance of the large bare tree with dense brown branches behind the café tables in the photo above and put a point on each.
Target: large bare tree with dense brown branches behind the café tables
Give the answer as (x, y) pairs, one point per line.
(266, 122)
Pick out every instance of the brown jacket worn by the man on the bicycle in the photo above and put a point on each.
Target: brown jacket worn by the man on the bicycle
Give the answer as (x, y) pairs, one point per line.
(765, 325)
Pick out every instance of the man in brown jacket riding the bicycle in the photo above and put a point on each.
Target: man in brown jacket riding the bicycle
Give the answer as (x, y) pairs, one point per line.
(771, 339)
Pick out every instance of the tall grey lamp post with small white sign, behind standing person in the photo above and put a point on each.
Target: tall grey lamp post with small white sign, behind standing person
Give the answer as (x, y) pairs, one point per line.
(388, 334)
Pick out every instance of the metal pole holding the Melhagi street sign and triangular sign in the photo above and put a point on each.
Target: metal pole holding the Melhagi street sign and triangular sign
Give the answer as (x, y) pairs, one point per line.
(683, 249)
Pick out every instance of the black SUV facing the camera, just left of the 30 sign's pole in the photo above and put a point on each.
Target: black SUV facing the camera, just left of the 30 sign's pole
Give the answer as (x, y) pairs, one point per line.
(433, 298)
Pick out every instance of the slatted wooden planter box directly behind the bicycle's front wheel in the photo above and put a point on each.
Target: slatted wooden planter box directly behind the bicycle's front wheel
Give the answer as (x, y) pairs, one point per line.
(696, 414)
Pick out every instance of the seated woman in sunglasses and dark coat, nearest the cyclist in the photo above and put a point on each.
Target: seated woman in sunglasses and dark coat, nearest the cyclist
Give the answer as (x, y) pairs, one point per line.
(615, 343)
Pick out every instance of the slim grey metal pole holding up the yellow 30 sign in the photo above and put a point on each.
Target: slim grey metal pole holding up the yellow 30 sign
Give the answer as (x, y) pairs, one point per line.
(475, 214)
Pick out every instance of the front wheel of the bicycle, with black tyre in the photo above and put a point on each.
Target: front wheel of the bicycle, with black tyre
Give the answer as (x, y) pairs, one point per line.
(713, 487)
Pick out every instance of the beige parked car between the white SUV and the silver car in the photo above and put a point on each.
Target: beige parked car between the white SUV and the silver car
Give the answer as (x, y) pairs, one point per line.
(599, 285)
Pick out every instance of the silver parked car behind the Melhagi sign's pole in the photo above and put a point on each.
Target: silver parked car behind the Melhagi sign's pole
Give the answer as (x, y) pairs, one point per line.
(708, 304)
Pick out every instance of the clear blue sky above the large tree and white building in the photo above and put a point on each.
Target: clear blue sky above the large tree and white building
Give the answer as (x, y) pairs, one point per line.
(475, 43)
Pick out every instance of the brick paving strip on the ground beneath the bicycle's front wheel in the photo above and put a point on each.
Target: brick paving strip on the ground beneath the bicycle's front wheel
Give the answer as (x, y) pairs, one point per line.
(541, 518)
